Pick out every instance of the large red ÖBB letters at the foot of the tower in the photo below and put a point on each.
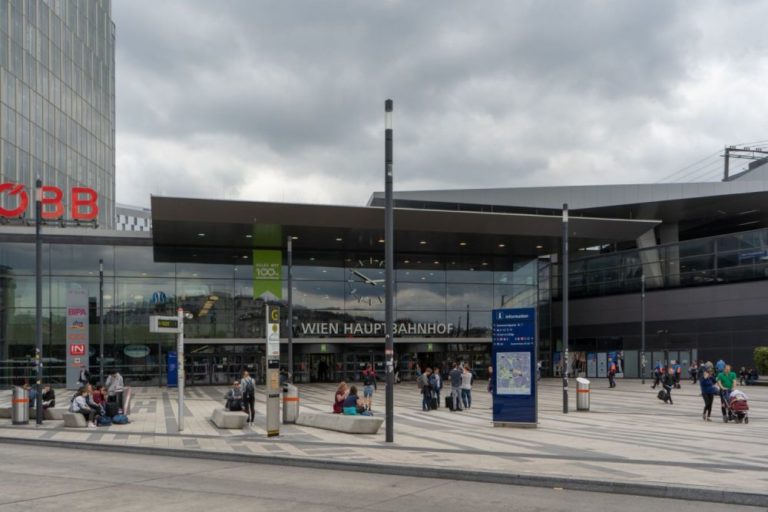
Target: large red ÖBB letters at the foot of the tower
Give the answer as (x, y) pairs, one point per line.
(83, 202)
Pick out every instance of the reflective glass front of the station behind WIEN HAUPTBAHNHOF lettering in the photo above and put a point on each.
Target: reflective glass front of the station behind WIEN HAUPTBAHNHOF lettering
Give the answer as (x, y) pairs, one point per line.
(442, 308)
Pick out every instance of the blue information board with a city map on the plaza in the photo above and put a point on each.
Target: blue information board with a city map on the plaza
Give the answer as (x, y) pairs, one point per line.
(514, 366)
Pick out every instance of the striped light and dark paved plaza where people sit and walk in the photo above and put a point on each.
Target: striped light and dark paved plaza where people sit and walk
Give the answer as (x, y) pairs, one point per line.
(629, 439)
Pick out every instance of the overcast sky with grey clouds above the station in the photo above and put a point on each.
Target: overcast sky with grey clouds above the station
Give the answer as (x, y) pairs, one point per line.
(284, 100)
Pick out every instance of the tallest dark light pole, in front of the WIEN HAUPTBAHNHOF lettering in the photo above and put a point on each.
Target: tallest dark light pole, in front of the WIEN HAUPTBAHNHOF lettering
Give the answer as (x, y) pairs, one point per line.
(389, 259)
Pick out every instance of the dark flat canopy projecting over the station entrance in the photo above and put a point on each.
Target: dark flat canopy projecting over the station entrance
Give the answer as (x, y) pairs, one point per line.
(222, 231)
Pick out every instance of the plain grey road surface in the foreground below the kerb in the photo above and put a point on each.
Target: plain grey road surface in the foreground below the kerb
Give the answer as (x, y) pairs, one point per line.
(130, 483)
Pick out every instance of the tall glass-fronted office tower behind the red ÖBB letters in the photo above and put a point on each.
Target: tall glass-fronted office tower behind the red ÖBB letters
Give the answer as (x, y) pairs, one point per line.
(57, 88)
